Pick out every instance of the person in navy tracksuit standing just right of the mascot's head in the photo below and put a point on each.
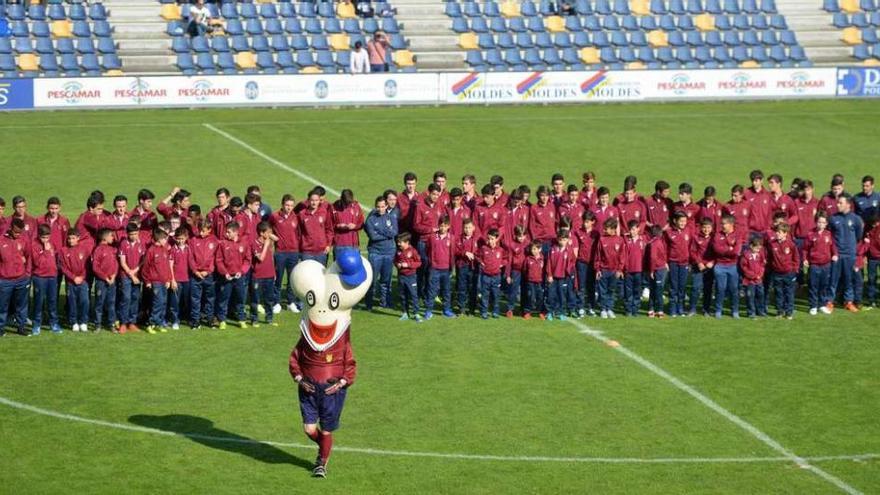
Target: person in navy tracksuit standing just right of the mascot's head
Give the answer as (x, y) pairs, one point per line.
(381, 228)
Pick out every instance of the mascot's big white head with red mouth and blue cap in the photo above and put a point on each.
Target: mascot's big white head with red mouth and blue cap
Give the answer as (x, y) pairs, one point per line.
(328, 294)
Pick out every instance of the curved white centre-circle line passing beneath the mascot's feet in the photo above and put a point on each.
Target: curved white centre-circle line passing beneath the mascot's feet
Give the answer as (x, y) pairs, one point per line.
(435, 455)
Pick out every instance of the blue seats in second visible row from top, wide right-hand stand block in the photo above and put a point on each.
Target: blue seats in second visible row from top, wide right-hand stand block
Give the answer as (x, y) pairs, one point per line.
(665, 22)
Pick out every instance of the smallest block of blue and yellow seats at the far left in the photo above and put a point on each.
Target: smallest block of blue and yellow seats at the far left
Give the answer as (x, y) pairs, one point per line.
(58, 38)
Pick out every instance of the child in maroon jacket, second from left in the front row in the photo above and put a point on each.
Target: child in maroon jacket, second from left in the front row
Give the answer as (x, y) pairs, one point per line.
(44, 271)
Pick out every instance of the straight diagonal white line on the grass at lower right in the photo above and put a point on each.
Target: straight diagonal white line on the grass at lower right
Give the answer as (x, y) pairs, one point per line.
(802, 462)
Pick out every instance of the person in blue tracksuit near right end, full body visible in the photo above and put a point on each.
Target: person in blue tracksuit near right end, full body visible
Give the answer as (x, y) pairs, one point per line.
(847, 229)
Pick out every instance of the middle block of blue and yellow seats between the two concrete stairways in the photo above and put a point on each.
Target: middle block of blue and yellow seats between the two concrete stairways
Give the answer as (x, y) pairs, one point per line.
(282, 37)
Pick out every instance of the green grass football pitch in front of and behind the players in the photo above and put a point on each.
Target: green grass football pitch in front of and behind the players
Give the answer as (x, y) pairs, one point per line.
(687, 405)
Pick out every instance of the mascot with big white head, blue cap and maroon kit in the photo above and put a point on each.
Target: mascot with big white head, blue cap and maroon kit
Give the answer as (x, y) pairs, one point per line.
(322, 363)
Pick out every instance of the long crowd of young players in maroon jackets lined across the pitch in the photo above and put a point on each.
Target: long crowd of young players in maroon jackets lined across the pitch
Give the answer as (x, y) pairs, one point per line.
(314, 227)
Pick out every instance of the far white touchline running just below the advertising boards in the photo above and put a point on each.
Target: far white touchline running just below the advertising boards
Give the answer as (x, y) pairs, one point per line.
(428, 120)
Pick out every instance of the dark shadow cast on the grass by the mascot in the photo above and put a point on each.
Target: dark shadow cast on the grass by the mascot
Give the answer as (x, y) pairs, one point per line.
(203, 431)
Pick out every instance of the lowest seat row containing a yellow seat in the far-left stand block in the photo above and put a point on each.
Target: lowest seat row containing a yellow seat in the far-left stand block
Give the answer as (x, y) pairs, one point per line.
(50, 65)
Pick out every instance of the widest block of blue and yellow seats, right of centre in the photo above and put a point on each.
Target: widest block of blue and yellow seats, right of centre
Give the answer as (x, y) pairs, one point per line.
(618, 34)
